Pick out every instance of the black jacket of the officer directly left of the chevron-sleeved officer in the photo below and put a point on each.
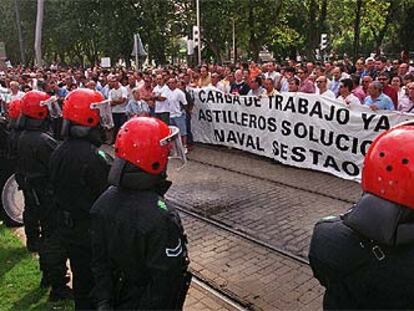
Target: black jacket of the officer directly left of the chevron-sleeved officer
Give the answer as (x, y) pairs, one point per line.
(78, 172)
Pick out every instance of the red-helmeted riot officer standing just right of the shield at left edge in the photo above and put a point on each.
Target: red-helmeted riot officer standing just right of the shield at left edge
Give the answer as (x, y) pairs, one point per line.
(34, 148)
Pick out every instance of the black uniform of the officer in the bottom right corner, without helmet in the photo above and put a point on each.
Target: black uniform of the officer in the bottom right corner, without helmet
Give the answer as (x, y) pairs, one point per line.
(365, 258)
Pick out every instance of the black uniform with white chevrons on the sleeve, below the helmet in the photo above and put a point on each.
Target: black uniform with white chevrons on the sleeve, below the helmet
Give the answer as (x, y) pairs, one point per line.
(139, 246)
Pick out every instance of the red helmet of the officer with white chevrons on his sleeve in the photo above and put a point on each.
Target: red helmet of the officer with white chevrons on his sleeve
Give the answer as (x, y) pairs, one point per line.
(145, 143)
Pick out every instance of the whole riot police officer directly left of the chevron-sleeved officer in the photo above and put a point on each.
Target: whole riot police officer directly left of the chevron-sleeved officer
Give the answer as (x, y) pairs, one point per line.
(79, 173)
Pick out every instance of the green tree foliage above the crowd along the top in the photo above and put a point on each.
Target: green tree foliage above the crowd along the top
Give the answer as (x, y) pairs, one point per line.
(80, 31)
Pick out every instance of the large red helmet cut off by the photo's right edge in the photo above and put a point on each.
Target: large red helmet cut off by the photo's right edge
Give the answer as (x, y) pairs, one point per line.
(389, 166)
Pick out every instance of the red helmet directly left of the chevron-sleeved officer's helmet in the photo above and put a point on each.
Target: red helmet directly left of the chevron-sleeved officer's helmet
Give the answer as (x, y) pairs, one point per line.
(77, 107)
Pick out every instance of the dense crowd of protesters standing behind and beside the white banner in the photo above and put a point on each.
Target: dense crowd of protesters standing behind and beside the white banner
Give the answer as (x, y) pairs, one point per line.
(380, 83)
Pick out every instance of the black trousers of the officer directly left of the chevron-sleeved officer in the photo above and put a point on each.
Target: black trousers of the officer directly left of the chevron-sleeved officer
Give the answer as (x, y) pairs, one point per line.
(74, 236)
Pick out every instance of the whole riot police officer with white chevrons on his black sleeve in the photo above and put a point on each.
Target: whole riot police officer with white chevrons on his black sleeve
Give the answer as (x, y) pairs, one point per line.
(139, 246)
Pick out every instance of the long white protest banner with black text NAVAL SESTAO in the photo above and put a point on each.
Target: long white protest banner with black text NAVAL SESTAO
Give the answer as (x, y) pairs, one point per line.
(303, 130)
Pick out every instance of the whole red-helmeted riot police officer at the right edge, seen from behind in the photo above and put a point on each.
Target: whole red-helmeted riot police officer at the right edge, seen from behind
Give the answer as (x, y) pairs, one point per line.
(364, 258)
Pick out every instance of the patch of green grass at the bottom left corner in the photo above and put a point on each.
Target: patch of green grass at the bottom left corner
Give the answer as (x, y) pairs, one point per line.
(20, 277)
